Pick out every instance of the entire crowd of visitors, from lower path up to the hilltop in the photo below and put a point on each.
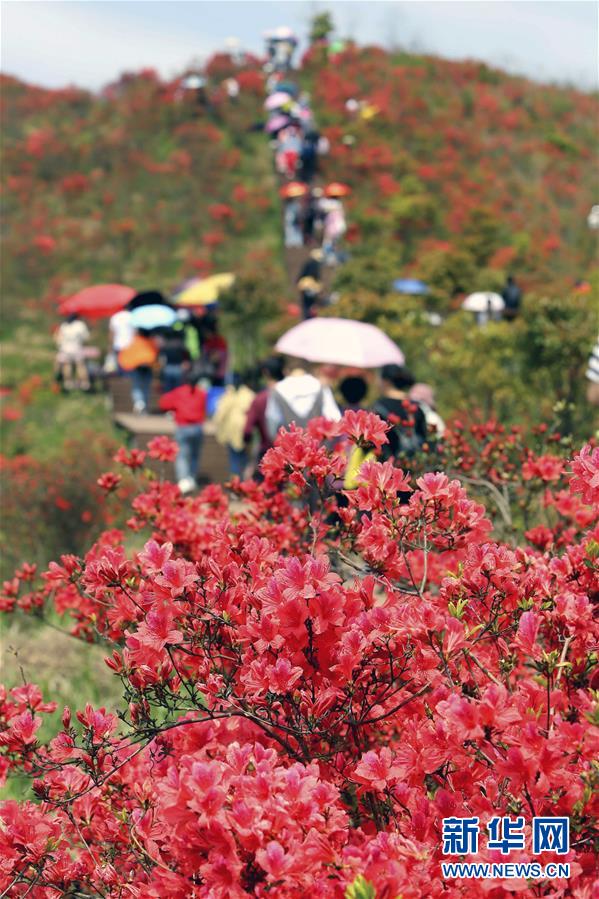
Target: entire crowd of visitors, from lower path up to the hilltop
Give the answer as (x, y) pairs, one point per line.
(191, 354)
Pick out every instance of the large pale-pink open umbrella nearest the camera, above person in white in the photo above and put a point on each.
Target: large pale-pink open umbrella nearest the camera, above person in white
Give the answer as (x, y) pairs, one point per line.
(340, 341)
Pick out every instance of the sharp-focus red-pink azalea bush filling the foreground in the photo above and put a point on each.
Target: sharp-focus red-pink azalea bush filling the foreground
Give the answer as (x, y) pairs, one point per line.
(312, 680)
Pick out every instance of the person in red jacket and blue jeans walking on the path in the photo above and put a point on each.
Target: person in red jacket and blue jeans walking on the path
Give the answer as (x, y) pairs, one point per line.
(188, 403)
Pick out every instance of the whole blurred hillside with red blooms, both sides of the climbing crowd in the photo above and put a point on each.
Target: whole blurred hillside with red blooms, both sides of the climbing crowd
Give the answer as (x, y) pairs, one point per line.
(459, 175)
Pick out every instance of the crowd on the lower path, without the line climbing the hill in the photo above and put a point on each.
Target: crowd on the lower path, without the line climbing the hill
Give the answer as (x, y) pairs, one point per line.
(247, 410)
